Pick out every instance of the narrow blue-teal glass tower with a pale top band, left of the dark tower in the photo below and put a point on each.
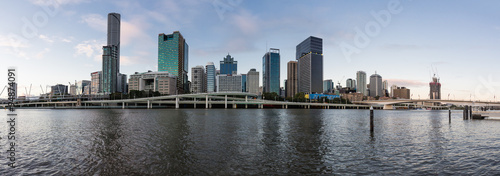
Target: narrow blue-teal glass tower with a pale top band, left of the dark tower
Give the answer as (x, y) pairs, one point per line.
(271, 71)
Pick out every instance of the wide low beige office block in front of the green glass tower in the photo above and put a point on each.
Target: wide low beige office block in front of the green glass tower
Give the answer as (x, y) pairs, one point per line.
(163, 82)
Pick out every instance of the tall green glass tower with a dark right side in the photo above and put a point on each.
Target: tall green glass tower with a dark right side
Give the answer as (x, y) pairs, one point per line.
(173, 58)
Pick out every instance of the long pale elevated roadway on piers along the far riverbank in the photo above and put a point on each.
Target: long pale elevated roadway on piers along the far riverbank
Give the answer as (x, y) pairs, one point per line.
(202, 100)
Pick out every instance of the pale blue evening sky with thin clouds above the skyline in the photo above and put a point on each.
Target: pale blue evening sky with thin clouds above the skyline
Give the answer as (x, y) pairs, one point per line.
(406, 42)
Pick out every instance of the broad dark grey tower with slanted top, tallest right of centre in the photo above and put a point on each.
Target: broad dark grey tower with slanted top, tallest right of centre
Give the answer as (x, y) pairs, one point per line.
(310, 65)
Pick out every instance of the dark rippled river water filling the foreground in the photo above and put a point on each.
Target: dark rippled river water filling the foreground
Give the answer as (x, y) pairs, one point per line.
(251, 142)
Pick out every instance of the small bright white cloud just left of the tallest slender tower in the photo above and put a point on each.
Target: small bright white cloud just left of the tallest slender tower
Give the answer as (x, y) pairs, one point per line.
(90, 48)
